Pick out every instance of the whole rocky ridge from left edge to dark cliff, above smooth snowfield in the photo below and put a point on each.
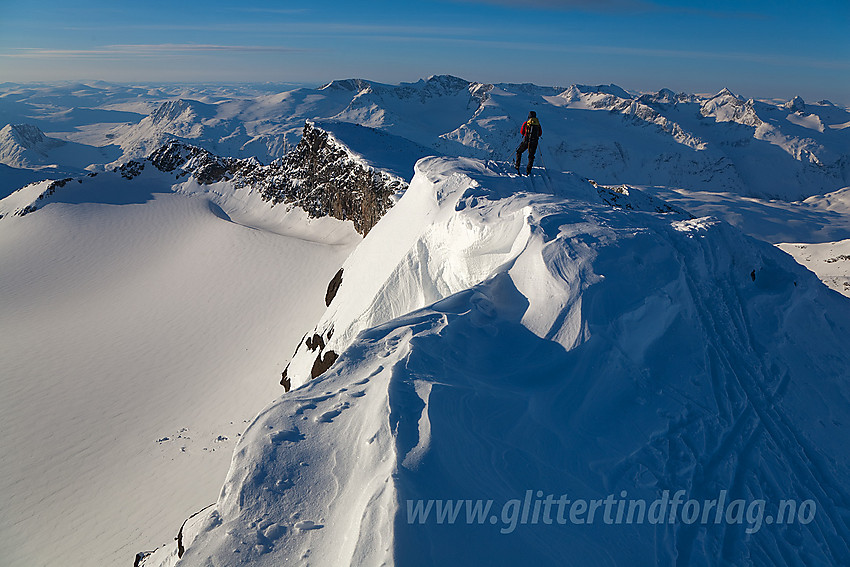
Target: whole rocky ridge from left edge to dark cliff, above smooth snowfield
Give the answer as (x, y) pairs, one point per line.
(320, 175)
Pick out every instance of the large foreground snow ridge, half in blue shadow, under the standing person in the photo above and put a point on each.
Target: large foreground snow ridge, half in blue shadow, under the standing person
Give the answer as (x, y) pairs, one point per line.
(500, 335)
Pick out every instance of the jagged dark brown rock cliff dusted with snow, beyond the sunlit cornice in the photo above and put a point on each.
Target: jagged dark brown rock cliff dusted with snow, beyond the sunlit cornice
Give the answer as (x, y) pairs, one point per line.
(320, 175)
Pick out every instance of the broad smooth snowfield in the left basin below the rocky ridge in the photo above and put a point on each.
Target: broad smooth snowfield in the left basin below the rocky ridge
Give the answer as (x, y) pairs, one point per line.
(142, 329)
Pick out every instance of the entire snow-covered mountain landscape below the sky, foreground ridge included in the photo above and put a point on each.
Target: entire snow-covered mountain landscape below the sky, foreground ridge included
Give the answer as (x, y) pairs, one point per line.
(620, 323)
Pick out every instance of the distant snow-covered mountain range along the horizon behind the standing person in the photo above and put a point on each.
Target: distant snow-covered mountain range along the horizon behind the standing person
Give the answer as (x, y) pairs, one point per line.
(672, 139)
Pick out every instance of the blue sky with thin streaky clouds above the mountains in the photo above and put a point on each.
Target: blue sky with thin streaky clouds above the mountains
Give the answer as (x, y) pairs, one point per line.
(757, 48)
